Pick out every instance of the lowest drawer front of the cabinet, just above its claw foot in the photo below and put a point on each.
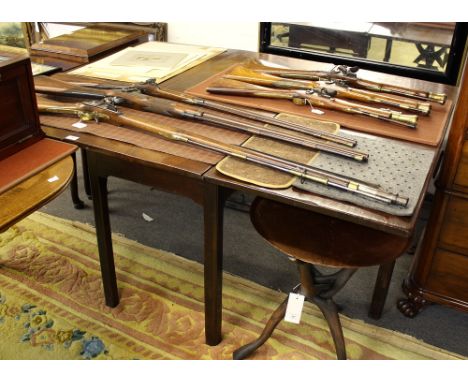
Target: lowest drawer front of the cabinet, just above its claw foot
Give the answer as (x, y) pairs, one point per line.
(449, 275)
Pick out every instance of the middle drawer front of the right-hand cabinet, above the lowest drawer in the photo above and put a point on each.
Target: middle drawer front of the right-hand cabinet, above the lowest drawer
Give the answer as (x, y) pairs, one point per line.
(454, 230)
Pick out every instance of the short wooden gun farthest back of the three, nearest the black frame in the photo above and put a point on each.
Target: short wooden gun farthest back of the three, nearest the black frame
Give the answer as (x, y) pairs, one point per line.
(348, 76)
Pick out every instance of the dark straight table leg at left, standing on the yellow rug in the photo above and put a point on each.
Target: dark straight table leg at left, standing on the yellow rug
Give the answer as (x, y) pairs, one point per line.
(103, 231)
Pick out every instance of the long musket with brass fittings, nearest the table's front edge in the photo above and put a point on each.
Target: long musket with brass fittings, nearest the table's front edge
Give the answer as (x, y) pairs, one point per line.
(103, 112)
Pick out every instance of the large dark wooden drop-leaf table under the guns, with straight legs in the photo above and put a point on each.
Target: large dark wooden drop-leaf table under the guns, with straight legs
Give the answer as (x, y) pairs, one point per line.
(202, 183)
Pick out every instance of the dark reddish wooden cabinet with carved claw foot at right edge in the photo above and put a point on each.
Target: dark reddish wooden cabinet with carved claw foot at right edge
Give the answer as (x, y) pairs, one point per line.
(439, 272)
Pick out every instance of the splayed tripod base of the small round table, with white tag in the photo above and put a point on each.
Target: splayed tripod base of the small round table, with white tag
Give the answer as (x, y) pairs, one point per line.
(318, 289)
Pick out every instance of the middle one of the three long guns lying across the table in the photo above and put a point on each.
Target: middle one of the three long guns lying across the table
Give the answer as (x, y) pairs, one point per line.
(47, 85)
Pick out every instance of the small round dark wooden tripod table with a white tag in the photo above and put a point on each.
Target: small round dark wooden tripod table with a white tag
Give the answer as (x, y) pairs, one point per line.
(312, 239)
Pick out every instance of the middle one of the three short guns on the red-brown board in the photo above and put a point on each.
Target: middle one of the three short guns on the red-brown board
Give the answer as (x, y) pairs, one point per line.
(257, 77)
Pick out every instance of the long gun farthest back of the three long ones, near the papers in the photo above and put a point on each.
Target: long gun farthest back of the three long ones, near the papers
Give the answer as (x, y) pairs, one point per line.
(152, 89)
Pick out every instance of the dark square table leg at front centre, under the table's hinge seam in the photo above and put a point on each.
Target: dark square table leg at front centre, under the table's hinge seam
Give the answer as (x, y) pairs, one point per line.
(214, 198)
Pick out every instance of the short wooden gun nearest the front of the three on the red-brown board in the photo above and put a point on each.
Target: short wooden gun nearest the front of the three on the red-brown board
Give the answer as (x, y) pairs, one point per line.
(312, 98)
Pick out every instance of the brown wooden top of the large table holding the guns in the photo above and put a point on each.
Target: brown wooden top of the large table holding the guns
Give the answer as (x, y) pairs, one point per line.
(378, 220)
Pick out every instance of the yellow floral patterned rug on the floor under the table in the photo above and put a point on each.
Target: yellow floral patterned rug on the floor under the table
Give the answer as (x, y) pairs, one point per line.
(52, 306)
